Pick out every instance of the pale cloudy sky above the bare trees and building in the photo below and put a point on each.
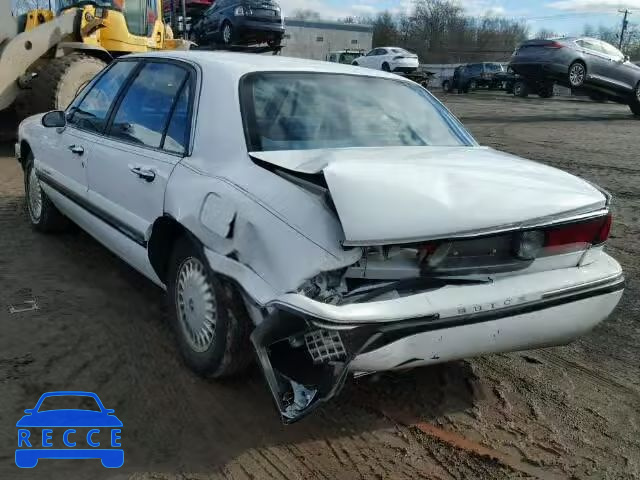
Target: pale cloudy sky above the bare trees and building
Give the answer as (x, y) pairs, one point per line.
(562, 16)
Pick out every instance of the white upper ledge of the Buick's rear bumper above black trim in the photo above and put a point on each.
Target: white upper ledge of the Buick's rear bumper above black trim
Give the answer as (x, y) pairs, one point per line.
(456, 302)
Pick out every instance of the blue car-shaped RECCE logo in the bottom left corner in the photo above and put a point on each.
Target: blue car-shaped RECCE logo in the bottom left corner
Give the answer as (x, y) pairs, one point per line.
(69, 433)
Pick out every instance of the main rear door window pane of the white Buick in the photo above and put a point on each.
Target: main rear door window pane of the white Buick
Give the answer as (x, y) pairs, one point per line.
(143, 115)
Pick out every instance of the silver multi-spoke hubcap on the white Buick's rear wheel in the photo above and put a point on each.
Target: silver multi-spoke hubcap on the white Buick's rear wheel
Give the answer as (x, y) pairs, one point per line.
(196, 305)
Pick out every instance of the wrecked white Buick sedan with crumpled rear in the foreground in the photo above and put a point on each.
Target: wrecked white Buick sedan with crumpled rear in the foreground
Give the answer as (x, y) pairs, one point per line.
(337, 219)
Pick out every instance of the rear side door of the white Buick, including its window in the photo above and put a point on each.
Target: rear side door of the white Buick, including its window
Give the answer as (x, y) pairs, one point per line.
(144, 140)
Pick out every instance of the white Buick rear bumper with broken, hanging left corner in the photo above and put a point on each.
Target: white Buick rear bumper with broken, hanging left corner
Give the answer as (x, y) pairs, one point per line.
(307, 348)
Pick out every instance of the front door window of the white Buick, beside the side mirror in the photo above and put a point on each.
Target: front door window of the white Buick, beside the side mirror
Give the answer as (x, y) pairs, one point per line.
(90, 112)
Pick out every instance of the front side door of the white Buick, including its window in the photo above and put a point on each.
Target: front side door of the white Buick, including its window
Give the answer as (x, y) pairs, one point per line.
(63, 167)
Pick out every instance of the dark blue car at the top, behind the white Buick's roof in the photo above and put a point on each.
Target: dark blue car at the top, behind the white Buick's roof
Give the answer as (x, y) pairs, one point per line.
(244, 22)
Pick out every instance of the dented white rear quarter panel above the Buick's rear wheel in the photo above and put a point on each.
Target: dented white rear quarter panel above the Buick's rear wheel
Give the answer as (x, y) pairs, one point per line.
(280, 244)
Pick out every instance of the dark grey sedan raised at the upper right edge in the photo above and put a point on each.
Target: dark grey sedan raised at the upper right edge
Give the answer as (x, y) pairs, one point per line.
(583, 64)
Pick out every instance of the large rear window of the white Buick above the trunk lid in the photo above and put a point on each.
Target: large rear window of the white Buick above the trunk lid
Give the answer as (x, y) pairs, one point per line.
(300, 111)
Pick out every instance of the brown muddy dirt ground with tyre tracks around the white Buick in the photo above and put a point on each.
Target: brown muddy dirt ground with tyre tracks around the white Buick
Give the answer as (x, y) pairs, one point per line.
(568, 412)
